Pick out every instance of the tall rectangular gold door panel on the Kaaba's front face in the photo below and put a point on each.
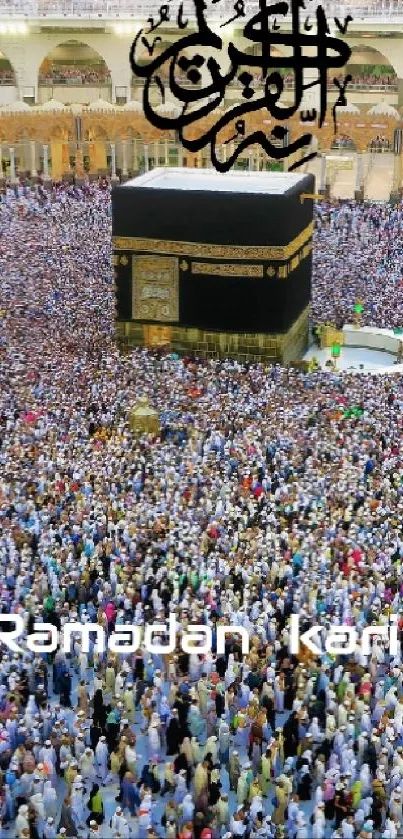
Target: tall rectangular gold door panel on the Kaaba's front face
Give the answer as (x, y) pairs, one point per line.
(155, 288)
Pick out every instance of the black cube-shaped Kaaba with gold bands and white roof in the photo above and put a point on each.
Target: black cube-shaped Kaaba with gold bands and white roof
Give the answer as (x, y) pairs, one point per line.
(214, 264)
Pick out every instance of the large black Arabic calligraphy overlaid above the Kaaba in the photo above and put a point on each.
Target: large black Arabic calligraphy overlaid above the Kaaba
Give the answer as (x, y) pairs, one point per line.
(198, 66)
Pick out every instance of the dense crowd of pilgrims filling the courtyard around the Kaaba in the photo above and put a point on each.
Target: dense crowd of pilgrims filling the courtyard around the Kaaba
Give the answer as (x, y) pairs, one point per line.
(269, 492)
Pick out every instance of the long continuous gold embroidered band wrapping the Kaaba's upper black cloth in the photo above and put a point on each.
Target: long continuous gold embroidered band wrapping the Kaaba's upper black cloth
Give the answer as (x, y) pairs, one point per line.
(196, 250)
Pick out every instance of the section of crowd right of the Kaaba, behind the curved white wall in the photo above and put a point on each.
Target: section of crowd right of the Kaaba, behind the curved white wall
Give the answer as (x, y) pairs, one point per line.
(360, 247)
